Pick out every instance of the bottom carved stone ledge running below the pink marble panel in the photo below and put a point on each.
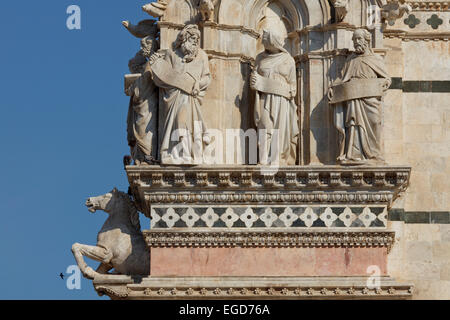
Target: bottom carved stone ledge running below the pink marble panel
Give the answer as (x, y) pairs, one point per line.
(256, 288)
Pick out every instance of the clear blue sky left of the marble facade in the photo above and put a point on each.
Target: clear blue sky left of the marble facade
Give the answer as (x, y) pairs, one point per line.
(63, 135)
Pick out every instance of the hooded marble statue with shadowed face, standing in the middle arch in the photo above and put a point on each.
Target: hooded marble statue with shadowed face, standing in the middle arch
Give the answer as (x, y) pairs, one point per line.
(275, 83)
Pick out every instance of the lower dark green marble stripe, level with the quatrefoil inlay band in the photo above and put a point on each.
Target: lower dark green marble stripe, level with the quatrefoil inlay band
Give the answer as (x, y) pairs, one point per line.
(426, 217)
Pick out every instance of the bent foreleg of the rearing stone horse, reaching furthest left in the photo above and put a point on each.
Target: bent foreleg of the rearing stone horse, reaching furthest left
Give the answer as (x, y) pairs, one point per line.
(93, 252)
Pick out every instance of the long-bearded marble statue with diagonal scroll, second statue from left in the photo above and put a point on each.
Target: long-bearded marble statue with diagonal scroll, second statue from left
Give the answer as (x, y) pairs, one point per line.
(183, 75)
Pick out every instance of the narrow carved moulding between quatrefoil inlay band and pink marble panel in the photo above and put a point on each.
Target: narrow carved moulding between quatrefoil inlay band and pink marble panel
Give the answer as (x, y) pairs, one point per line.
(158, 238)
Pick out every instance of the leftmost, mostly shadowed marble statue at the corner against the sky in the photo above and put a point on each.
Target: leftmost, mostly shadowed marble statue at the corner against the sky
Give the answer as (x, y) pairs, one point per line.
(142, 135)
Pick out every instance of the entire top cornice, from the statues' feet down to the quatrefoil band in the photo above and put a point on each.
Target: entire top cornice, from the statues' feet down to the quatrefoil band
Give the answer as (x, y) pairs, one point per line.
(152, 185)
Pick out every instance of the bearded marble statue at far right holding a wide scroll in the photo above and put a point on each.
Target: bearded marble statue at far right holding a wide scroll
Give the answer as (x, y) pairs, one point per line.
(357, 99)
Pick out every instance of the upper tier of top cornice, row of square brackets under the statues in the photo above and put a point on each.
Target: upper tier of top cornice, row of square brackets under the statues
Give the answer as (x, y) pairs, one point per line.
(256, 178)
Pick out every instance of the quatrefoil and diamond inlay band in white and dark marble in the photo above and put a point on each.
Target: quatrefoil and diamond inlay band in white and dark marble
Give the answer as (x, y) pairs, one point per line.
(294, 216)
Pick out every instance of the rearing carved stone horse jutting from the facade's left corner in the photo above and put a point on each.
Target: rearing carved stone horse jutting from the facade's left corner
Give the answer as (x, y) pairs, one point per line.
(120, 243)
